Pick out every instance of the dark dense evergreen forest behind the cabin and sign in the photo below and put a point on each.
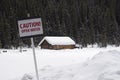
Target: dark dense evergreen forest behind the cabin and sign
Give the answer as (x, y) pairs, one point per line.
(85, 21)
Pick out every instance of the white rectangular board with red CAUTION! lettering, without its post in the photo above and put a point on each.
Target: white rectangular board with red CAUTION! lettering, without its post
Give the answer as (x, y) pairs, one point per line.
(30, 27)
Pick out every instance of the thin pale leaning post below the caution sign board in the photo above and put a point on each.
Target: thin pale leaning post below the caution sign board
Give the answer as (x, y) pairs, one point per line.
(34, 56)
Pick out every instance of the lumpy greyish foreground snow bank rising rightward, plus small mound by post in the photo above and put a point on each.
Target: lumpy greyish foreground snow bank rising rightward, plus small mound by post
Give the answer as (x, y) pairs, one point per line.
(103, 66)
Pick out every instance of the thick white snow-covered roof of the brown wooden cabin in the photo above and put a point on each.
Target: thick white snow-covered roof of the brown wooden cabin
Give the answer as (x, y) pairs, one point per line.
(53, 40)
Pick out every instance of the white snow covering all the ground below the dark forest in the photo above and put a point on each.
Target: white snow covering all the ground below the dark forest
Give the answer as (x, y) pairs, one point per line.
(75, 64)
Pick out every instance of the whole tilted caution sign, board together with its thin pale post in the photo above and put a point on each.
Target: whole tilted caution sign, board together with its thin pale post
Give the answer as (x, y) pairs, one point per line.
(29, 28)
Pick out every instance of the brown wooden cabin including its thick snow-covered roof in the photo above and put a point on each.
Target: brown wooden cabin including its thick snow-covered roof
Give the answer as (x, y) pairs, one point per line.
(57, 43)
